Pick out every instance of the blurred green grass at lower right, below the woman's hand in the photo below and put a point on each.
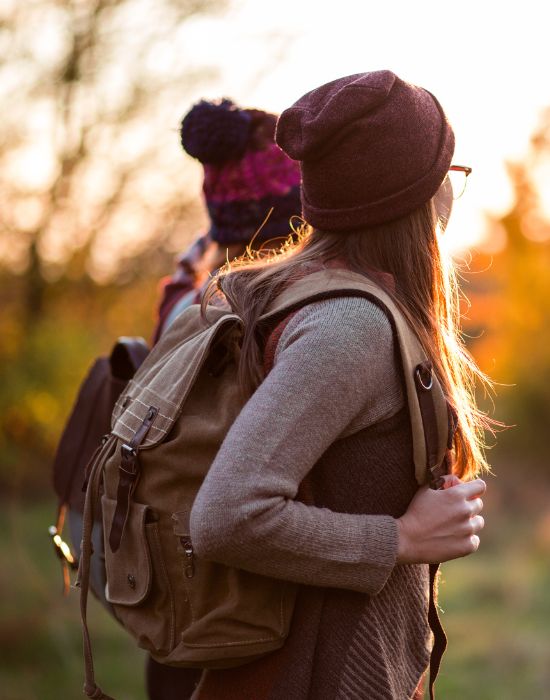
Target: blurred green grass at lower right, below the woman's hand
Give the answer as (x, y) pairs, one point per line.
(496, 606)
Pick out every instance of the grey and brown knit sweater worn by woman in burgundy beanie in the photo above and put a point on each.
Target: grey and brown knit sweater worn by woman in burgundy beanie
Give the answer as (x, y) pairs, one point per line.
(331, 408)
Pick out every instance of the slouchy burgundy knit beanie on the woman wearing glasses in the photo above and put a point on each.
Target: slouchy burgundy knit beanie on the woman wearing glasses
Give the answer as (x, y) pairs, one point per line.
(372, 147)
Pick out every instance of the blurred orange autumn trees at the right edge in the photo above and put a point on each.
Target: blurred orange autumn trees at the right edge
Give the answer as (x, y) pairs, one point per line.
(511, 304)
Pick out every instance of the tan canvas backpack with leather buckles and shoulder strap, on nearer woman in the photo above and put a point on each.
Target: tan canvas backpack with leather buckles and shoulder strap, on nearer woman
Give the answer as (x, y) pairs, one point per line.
(166, 429)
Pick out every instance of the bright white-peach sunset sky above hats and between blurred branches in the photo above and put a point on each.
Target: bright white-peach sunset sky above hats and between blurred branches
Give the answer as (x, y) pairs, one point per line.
(485, 73)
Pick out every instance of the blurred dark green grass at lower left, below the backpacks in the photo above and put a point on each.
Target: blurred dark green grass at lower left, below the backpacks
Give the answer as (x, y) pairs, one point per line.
(40, 638)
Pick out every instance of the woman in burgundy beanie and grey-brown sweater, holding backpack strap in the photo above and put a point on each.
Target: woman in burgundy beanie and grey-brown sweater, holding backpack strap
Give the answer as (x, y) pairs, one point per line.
(327, 409)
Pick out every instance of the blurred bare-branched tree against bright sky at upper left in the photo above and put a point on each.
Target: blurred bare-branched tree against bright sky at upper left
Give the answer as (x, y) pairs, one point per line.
(91, 89)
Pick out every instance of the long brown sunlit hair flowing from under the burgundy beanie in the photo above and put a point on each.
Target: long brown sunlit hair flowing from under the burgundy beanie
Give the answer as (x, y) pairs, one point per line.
(424, 286)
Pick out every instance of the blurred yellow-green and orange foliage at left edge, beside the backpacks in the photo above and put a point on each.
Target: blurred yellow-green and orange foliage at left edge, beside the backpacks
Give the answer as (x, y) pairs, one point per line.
(43, 360)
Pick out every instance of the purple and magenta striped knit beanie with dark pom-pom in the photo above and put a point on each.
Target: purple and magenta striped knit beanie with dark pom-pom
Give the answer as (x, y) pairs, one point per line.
(245, 173)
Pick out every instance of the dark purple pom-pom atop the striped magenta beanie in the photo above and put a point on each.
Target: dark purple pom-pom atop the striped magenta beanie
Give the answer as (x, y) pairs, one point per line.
(215, 132)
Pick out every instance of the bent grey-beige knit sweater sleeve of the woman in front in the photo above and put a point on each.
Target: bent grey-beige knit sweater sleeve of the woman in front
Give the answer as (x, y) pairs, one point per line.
(332, 361)
